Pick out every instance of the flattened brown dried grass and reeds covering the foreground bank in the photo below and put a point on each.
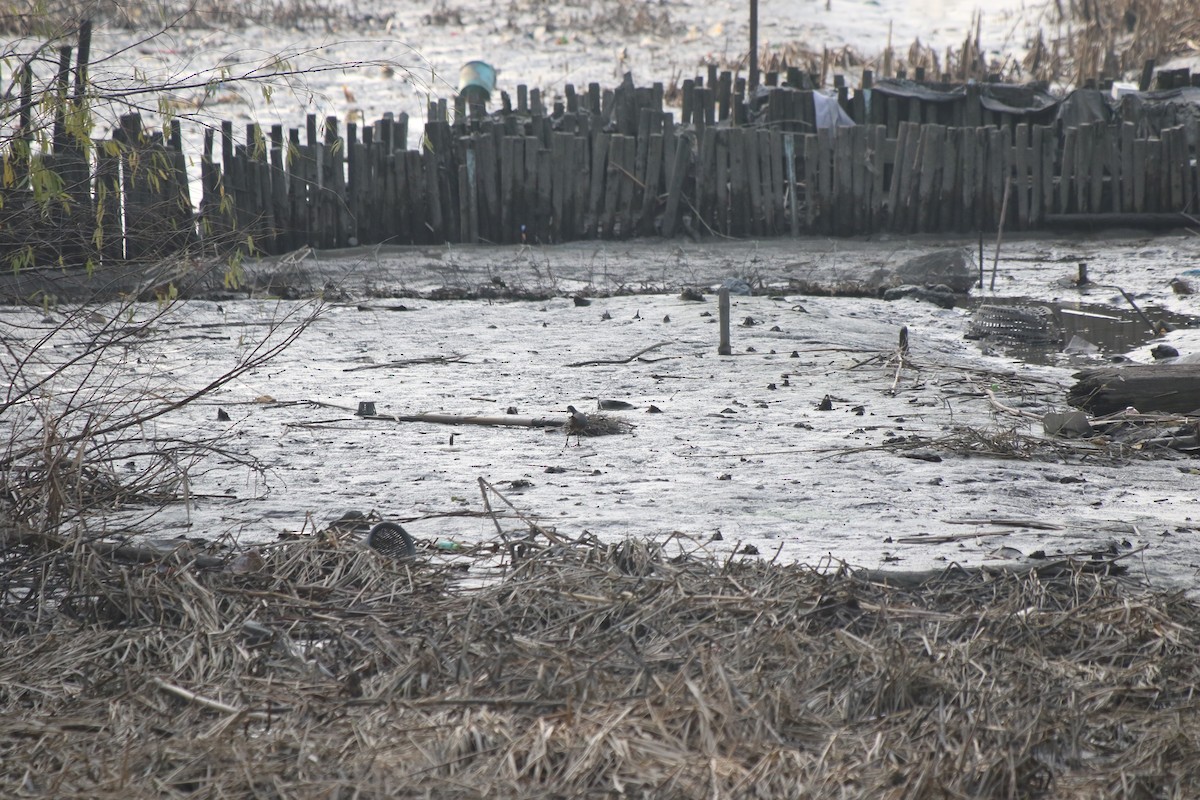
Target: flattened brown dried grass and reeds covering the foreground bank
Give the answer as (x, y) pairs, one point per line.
(633, 669)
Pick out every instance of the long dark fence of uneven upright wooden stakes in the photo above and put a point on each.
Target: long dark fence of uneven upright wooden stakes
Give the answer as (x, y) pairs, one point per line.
(616, 165)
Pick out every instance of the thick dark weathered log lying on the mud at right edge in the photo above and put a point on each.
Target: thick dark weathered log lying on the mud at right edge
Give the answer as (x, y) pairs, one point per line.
(1171, 388)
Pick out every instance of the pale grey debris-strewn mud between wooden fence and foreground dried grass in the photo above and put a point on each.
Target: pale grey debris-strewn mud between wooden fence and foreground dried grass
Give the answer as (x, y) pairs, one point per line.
(741, 448)
